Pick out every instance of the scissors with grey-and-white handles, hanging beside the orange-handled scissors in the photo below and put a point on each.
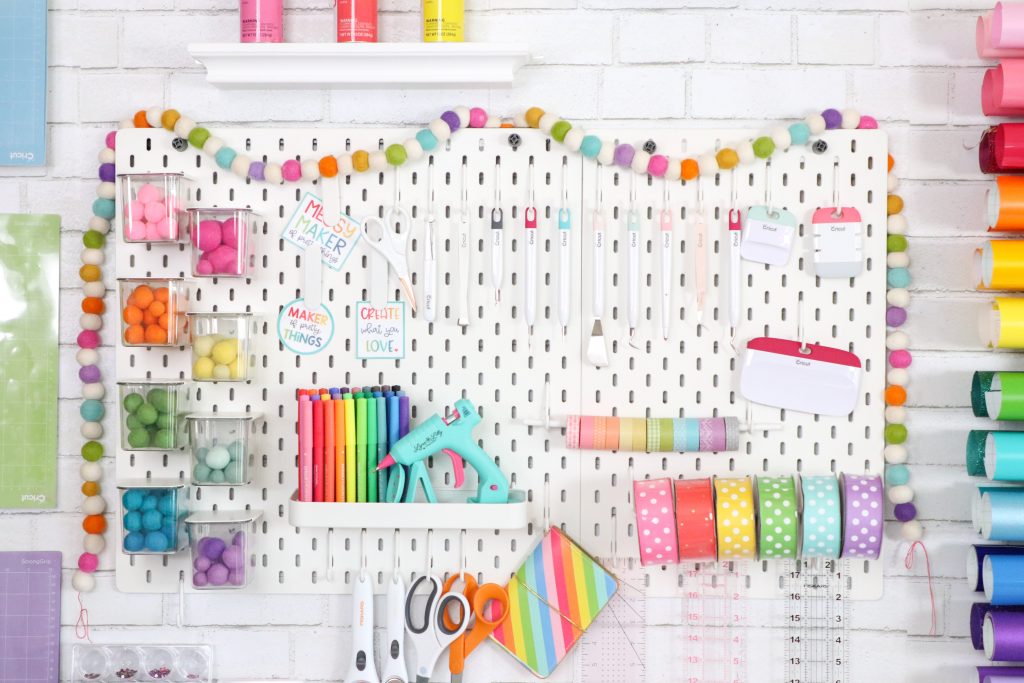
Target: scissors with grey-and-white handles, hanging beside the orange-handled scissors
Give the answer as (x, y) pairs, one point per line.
(433, 636)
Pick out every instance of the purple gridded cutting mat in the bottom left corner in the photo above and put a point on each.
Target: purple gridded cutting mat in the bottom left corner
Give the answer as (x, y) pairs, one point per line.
(30, 617)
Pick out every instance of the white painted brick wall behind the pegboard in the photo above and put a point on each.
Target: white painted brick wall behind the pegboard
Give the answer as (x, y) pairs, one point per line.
(910, 63)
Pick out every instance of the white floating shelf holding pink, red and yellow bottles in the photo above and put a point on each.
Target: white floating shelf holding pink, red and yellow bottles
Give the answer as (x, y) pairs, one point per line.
(359, 65)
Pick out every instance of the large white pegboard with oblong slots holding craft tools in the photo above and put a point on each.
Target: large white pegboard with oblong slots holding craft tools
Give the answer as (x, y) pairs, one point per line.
(491, 363)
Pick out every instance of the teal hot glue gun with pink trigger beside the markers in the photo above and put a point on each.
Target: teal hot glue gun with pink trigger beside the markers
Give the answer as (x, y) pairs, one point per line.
(455, 439)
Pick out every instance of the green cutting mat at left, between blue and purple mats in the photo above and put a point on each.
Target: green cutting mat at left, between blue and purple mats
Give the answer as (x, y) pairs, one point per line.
(30, 255)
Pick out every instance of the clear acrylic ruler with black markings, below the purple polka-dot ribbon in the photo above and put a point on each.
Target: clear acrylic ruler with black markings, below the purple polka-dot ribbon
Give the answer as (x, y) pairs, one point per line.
(818, 619)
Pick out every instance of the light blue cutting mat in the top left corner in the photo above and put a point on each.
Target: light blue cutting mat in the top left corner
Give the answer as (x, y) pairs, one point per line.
(23, 82)
